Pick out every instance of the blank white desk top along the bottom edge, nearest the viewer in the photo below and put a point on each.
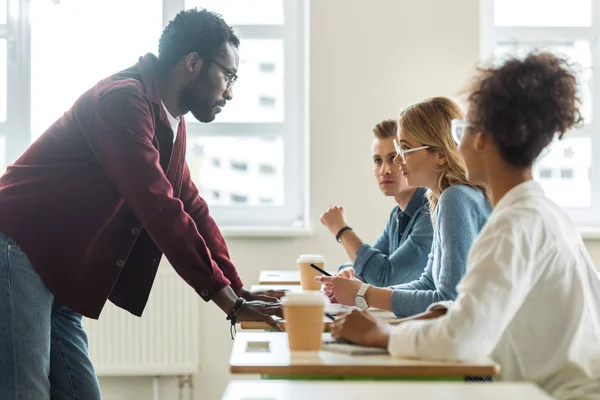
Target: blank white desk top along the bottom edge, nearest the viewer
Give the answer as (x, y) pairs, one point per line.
(303, 390)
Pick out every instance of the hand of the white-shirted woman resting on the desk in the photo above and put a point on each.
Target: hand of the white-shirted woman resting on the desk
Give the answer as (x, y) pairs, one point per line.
(361, 328)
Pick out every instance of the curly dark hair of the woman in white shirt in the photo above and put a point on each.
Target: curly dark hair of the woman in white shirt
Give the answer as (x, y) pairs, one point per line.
(524, 103)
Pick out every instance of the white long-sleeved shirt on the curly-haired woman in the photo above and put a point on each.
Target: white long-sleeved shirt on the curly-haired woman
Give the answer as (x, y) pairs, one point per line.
(530, 299)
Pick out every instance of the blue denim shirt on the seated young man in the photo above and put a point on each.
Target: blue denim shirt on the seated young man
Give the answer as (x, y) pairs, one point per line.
(400, 253)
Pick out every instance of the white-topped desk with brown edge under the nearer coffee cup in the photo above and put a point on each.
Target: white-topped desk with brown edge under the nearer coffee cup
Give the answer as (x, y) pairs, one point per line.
(273, 357)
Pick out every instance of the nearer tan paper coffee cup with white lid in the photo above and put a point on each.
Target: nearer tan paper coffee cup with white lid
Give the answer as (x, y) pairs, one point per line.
(303, 314)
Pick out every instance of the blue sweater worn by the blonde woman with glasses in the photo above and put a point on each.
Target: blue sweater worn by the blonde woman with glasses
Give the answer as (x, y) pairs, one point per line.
(460, 214)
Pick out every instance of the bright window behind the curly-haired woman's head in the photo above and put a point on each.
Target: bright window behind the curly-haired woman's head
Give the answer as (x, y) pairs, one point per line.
(569, 28)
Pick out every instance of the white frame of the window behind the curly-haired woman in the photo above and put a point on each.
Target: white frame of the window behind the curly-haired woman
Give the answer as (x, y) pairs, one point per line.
(490, 35)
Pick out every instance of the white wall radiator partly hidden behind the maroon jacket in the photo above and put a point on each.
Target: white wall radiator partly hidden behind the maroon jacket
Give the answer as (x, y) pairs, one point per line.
(164, 341)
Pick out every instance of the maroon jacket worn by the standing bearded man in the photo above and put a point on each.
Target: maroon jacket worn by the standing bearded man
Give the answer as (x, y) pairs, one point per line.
(104, 192)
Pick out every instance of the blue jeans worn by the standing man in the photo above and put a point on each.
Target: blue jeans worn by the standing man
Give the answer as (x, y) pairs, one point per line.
(43, 348)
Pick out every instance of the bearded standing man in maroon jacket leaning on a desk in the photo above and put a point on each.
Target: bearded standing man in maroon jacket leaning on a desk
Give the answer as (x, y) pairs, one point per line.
(87, 212)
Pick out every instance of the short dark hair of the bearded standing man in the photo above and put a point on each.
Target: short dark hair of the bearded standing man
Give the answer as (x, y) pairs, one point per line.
(194, 30)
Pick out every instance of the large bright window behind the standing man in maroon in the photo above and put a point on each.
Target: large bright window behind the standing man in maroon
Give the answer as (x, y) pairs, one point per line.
(265, 124)
